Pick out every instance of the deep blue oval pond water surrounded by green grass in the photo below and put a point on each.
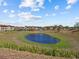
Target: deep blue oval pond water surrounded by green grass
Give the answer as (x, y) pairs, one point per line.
(42, 38)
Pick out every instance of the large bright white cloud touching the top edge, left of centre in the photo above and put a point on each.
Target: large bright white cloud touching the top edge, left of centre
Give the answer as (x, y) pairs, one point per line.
(33, 4)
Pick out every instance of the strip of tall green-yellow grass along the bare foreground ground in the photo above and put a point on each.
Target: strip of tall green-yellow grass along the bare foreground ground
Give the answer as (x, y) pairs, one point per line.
(41, 50)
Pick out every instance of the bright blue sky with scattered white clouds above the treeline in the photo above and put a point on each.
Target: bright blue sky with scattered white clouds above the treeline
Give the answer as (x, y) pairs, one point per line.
(39, 12)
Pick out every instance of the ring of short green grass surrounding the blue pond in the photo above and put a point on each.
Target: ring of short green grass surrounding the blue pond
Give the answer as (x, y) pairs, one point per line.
(62, 42)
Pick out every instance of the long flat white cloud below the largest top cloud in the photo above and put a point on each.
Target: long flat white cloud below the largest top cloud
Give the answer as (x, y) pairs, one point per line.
(28, 16)
